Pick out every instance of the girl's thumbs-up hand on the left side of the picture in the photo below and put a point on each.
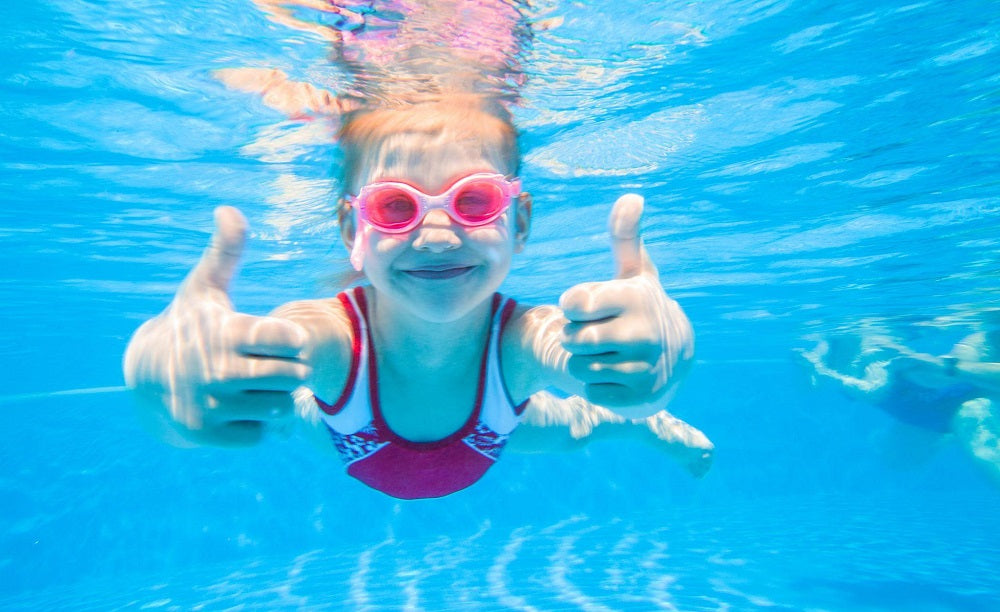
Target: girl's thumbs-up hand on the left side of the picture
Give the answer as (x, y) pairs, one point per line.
(208, 373)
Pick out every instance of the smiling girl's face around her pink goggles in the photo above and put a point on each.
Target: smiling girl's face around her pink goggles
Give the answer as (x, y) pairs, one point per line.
(441, 270)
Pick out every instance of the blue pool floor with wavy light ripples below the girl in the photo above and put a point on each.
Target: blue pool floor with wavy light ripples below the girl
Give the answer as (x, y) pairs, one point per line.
(787, 553)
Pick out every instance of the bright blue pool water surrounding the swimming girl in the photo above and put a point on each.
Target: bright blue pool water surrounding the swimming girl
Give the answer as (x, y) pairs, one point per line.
(808, 166)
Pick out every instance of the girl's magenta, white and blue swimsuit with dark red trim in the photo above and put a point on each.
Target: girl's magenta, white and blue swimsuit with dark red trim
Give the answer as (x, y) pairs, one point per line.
(383, 460)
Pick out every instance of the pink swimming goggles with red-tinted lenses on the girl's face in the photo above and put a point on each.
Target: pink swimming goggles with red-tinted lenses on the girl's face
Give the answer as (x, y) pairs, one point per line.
(395, 207)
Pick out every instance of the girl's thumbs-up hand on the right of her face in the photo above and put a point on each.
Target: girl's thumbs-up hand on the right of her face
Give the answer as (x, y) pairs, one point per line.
(627, 340)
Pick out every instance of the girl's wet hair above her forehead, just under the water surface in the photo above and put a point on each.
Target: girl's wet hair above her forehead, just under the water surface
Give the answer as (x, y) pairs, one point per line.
(461, 117)
